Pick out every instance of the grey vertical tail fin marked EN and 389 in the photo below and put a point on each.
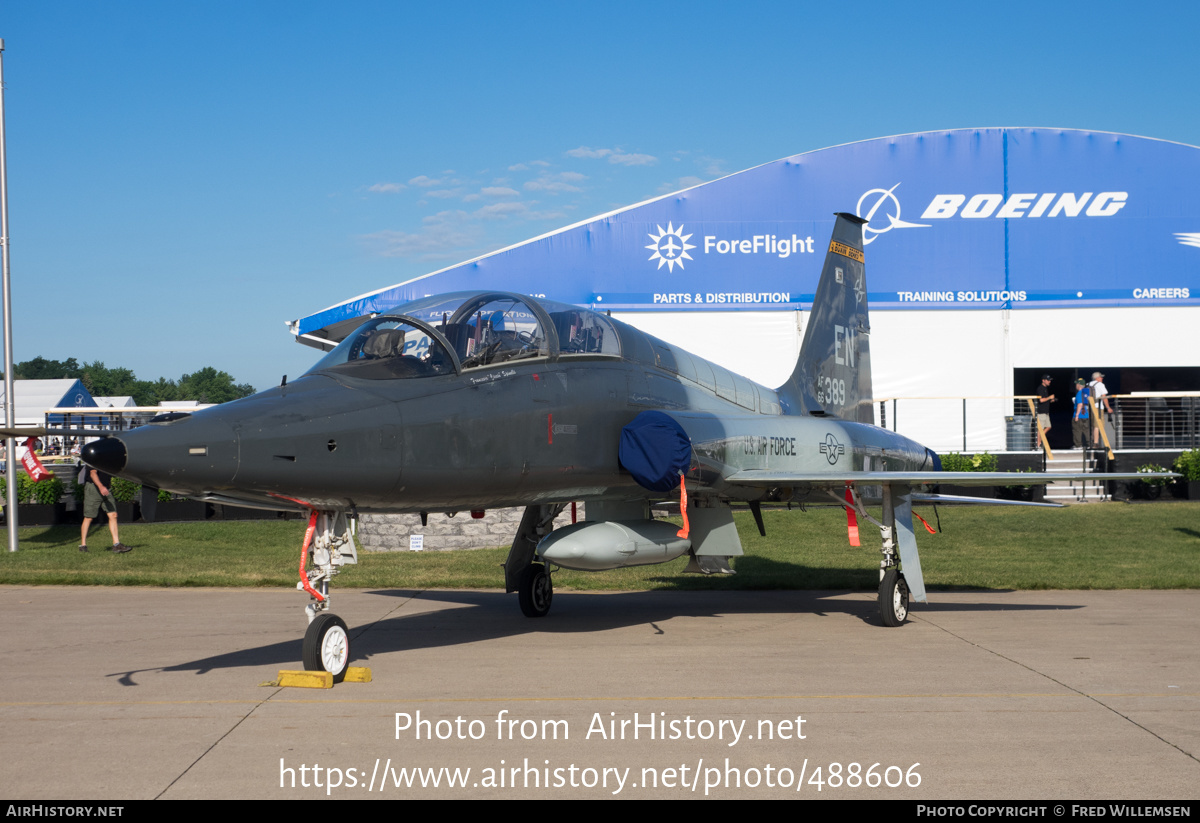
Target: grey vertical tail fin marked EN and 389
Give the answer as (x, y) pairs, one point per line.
(833, 374)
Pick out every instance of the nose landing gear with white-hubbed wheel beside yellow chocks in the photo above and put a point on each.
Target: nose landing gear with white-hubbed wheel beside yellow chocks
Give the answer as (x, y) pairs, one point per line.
(329, 545)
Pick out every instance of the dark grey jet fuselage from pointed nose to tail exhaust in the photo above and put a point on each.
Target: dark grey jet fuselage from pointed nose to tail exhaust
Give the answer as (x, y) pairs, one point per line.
(526, 431)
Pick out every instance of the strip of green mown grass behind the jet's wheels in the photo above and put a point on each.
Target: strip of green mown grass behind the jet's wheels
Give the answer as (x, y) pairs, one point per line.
(1095, 546)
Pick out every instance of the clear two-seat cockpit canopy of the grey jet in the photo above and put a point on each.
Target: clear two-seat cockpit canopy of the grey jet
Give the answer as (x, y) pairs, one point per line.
(451, 333)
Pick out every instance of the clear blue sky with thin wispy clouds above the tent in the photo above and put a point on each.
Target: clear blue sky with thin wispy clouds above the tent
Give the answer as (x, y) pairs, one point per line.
(187, 177)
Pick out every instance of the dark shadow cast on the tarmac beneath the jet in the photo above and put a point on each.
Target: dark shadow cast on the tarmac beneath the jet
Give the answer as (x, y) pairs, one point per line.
(484, 616)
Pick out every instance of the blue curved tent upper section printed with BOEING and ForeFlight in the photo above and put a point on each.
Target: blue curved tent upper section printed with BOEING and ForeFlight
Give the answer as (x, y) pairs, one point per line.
(965, 219)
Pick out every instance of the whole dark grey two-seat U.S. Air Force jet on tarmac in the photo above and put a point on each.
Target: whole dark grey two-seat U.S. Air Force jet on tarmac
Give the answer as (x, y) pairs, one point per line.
(476, 401)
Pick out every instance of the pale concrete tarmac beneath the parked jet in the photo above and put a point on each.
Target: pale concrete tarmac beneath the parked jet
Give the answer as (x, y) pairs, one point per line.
(135, 694)
